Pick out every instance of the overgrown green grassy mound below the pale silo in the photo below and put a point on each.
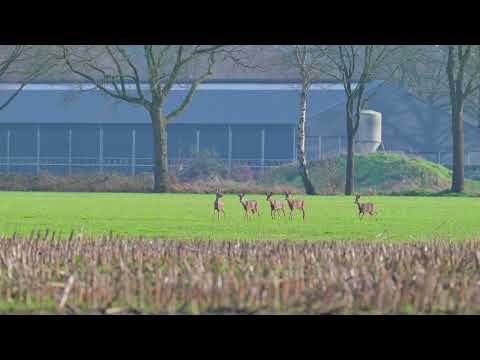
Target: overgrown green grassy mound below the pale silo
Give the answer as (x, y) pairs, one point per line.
(382, 172)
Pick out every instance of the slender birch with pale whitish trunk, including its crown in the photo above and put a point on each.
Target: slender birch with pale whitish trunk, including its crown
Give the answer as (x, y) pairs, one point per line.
(306, 61)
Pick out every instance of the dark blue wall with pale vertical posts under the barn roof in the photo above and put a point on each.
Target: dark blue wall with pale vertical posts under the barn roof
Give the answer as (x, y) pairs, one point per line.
(63, 148)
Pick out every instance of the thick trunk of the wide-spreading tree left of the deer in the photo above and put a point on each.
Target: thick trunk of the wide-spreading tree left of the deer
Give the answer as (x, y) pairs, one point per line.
(160, 169)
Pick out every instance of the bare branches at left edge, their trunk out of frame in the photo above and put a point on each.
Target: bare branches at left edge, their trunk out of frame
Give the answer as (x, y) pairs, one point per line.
(22, 64)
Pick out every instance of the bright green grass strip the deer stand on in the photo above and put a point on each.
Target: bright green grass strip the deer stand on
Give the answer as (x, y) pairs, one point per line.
(191, 216)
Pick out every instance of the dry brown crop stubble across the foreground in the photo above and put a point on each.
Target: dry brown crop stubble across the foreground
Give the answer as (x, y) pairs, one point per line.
(118, 276)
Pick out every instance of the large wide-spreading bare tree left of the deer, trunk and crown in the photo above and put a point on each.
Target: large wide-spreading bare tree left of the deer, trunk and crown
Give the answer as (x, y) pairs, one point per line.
(119, 72)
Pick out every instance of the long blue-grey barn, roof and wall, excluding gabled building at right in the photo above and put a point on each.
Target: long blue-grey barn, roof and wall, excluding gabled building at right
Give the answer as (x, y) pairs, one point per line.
(58, 128)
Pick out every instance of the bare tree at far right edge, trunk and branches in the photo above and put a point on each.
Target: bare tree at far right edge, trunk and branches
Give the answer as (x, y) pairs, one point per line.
(447, 77)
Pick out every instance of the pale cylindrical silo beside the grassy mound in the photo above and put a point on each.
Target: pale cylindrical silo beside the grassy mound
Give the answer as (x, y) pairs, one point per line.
(369, 134)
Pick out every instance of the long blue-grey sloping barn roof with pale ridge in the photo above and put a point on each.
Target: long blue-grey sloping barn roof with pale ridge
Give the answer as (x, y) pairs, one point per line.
(212, 104)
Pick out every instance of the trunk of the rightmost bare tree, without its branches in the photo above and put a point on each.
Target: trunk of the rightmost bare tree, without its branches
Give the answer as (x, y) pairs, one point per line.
(458, 181)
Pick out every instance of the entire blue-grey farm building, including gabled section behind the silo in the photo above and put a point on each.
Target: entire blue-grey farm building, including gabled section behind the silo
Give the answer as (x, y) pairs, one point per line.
(57, 128)
